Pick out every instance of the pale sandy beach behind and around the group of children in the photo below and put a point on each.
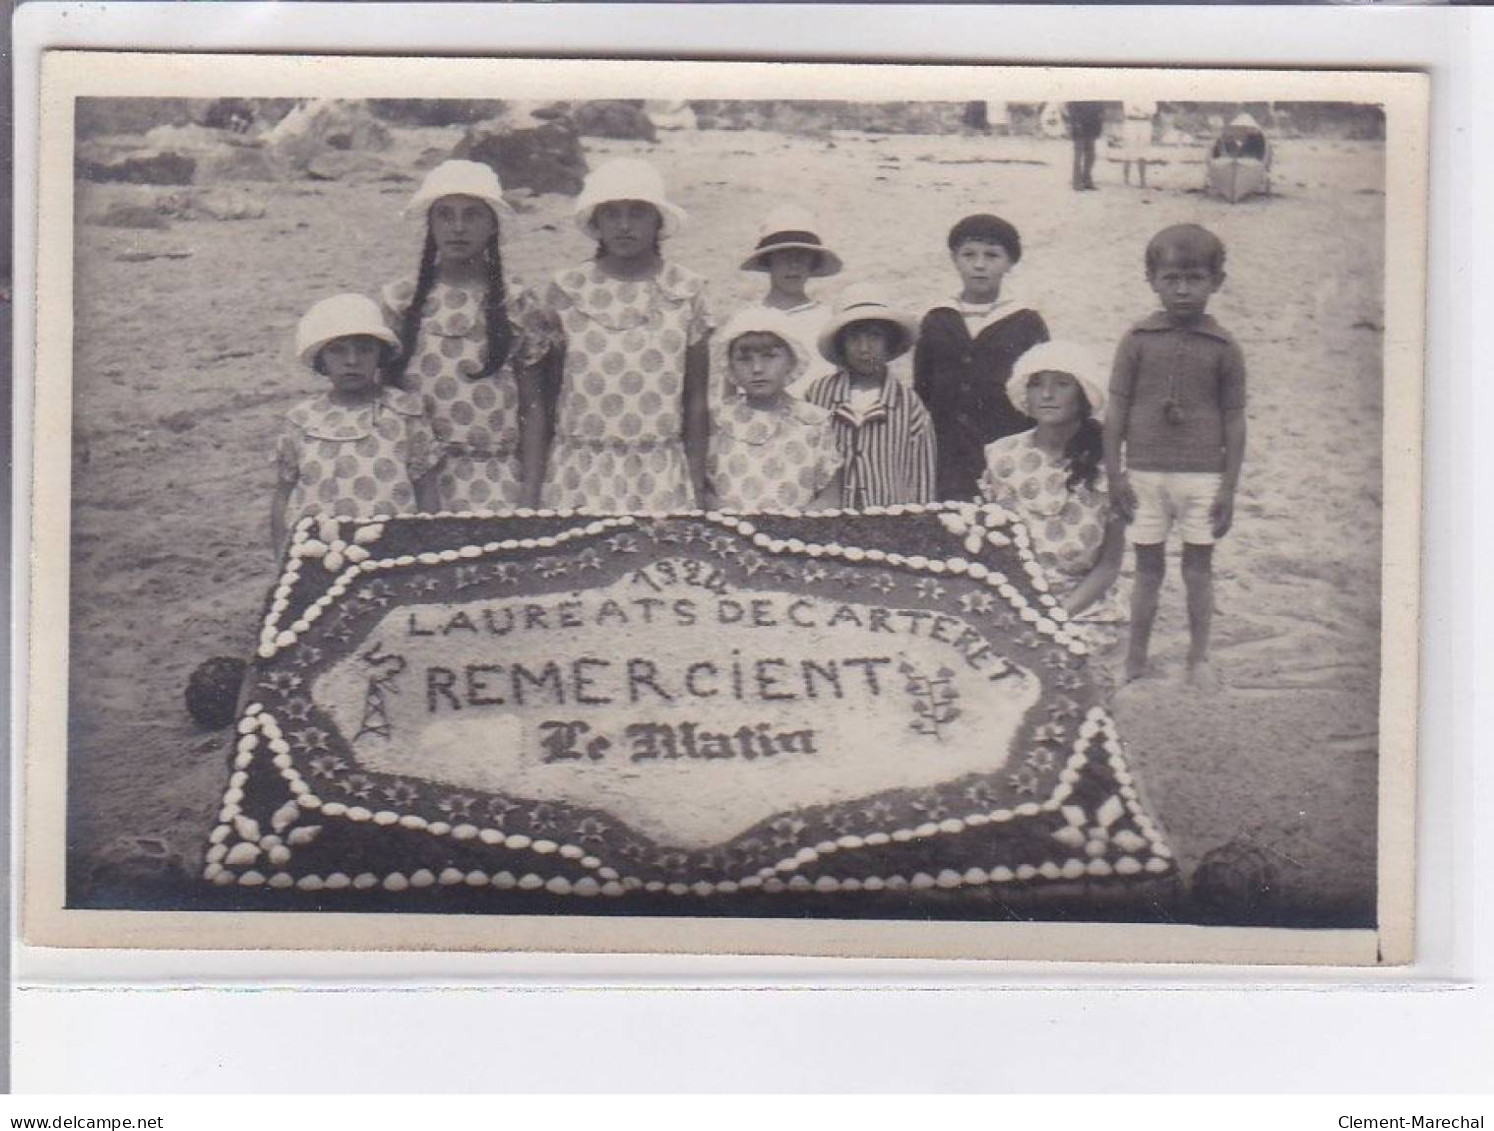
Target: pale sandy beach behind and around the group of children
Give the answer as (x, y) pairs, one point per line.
(183, 367)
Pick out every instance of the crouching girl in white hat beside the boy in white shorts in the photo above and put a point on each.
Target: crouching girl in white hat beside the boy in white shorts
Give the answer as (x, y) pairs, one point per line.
(1054, 479)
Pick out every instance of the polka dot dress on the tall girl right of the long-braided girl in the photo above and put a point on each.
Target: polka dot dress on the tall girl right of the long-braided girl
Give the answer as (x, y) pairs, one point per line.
(621, 415)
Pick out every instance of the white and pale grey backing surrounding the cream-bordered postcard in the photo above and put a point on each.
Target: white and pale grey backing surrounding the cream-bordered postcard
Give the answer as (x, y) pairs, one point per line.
(709, 1024)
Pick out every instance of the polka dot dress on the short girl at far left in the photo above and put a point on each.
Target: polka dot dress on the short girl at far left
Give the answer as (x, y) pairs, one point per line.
(355, 462)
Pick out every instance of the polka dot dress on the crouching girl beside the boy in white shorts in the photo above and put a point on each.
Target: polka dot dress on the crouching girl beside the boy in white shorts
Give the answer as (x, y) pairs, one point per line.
(1067, 525)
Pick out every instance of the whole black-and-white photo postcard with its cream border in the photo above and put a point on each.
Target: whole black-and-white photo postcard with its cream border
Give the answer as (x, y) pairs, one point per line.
(727, 507)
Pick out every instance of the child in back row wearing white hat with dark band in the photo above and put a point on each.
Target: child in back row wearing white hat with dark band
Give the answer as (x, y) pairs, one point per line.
(793, 253)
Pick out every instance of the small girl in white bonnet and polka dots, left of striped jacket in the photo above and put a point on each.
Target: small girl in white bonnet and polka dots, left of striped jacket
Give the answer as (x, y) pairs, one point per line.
(769, 447)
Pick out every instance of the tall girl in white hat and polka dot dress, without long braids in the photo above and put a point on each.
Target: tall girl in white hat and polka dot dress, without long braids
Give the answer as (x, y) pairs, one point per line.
(633, 421)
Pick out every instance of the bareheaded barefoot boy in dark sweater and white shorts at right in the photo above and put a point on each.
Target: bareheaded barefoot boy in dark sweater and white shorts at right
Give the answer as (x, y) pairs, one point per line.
(1178, 413)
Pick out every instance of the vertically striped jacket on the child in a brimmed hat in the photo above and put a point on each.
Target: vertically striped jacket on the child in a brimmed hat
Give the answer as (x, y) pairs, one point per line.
(888, 447)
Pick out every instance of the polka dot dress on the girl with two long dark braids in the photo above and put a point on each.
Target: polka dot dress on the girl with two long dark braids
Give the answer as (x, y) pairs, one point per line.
(474, 418)
